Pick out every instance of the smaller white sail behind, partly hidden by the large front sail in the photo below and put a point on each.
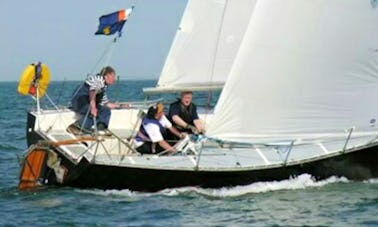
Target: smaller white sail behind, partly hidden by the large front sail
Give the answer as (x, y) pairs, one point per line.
(206, 43)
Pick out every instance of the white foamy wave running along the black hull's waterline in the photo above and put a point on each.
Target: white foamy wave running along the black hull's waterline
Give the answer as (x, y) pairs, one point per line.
(300, 182)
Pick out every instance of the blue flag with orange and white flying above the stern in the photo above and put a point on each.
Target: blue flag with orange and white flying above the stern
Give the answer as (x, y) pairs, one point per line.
(113, 22)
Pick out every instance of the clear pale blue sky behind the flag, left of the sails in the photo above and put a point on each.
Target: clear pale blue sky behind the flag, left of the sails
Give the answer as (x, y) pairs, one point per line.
(61, 35)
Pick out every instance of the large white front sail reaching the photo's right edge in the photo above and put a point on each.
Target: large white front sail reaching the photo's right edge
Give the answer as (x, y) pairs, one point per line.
(304, 69)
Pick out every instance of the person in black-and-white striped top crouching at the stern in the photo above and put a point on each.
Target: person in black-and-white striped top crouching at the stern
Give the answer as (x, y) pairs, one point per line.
(91, 101)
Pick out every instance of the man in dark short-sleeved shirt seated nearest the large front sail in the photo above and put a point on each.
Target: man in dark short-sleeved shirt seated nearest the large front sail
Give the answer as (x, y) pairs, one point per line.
(183, 114)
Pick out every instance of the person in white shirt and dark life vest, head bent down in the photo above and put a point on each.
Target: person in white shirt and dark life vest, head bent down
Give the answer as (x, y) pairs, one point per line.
(150, 138)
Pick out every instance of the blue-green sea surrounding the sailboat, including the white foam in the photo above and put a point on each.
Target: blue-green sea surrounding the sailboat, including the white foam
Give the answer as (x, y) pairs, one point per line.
(299, 201)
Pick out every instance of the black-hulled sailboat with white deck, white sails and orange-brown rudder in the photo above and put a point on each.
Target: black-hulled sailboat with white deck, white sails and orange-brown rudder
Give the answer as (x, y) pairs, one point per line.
(298, 98)
